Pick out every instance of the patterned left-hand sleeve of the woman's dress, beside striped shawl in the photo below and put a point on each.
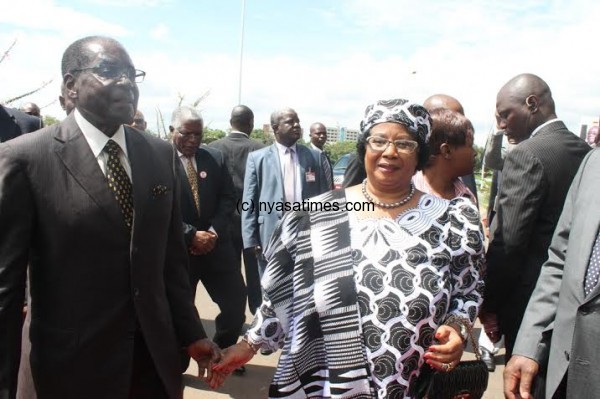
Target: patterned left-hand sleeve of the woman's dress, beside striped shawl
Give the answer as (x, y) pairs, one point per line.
(272, 320)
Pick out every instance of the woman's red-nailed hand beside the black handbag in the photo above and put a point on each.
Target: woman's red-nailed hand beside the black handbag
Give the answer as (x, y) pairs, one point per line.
(445, 355)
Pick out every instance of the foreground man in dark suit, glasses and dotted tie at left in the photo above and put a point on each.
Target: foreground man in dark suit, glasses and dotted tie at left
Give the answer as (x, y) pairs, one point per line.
(92, 207)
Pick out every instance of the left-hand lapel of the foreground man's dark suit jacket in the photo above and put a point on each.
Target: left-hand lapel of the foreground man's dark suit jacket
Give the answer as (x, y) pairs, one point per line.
(72, 148)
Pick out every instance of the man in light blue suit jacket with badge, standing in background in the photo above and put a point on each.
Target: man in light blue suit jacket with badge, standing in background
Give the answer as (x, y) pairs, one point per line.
(283, 172)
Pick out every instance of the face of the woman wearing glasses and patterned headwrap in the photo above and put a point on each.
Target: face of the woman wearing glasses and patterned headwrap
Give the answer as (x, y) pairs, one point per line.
(390, 170)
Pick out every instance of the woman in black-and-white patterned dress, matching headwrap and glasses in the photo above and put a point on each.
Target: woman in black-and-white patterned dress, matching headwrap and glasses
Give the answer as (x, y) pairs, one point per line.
(374, 281)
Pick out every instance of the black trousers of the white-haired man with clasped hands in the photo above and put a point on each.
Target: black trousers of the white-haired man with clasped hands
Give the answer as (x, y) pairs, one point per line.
(222, 278)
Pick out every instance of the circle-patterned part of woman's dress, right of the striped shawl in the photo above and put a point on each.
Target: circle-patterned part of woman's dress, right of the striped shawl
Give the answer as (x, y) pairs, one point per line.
(405, 271)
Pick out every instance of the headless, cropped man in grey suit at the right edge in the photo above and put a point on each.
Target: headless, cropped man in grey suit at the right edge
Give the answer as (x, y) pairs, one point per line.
(558, 337)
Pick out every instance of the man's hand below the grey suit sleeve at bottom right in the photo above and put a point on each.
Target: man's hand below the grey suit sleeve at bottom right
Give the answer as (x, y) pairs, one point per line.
(518, 377)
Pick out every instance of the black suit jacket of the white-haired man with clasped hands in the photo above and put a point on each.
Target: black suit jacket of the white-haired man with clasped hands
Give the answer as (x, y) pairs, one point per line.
(215, 188)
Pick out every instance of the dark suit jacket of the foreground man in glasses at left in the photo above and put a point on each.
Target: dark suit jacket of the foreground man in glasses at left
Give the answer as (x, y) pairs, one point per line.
(92, 283)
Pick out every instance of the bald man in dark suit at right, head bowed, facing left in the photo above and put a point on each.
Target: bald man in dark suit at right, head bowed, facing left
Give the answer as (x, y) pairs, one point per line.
(536, 175)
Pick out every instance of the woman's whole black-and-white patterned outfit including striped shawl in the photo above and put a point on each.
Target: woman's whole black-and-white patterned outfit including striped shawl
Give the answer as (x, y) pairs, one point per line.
(354, 304)
